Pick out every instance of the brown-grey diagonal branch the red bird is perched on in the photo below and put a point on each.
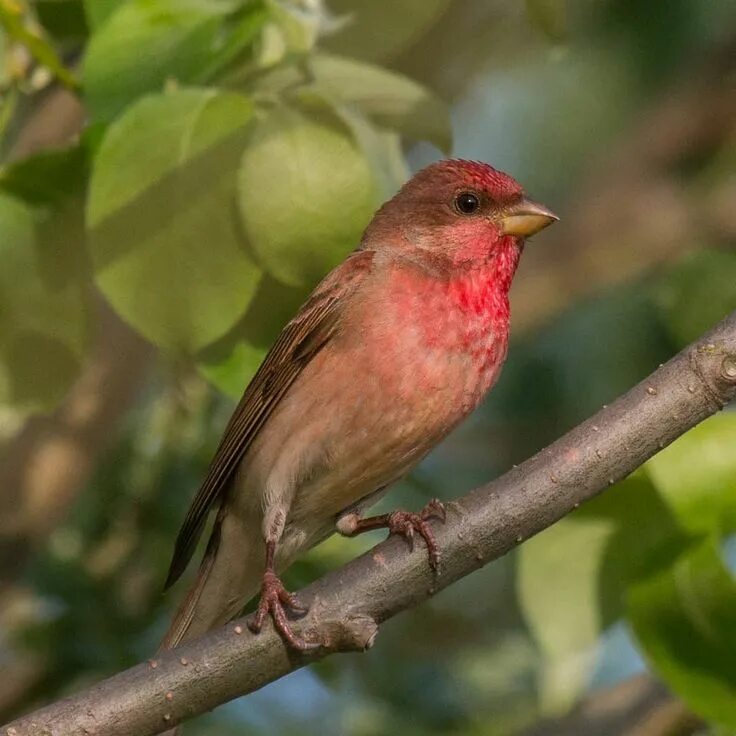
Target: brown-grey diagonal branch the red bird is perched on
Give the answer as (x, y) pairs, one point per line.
(348, 605)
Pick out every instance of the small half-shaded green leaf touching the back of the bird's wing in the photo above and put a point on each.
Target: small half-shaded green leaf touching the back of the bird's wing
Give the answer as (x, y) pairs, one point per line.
(232, 361)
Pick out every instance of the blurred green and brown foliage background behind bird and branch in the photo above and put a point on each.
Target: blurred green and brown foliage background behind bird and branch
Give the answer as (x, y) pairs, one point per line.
(177, 174)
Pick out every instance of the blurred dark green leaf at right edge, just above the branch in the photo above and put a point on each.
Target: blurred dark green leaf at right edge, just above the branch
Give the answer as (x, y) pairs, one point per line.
(697, 292)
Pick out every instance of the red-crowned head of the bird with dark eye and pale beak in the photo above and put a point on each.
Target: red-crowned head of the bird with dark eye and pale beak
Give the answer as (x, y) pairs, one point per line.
(459, 212)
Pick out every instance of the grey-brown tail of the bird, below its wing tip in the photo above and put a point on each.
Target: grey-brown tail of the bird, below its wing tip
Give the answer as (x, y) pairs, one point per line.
(228, 577)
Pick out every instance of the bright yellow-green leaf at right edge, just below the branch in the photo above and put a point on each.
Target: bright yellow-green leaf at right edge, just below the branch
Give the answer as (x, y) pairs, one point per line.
(696, 476)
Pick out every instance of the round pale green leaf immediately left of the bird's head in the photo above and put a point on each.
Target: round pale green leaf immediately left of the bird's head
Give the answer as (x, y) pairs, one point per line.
(306, 192)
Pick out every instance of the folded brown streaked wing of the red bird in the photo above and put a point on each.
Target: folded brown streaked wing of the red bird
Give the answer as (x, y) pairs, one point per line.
(298, 343)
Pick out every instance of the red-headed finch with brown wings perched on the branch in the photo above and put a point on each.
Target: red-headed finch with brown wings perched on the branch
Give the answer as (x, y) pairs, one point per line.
(390, 352)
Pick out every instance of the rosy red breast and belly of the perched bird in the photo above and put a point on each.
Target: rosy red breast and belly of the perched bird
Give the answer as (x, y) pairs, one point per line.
(414, 357)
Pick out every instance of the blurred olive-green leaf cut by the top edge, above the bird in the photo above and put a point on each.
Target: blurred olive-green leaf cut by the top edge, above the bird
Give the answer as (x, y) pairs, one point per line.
(380, 29)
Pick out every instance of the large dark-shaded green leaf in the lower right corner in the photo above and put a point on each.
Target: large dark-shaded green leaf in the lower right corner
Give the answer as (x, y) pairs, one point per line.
(685, 621)
